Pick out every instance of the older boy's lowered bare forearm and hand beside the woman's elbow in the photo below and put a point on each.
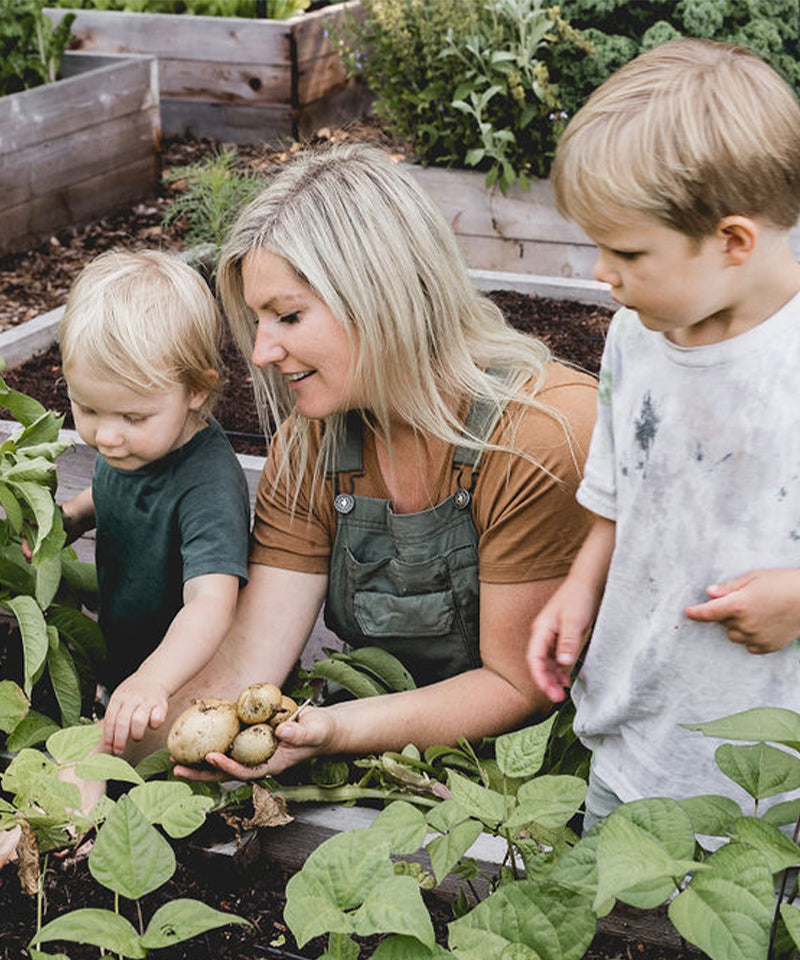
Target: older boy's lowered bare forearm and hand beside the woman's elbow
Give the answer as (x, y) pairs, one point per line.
(561, 629)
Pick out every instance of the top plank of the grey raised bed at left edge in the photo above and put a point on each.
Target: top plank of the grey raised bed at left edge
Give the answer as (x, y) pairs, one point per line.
(122, 87)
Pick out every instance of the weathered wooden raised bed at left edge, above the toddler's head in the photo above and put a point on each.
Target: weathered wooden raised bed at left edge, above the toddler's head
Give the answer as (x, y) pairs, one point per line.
(78, 149)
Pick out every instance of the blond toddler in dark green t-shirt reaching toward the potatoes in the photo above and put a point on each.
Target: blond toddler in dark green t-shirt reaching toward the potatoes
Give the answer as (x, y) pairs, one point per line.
(140, 353)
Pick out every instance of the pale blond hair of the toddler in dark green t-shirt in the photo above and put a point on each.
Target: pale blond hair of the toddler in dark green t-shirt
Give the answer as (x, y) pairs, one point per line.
(147, 320)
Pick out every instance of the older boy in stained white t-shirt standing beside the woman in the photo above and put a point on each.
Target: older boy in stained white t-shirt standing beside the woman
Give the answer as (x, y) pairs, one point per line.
(684, 168)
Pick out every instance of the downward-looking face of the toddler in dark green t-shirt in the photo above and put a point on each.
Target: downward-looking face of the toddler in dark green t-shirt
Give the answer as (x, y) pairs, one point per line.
(131, 429)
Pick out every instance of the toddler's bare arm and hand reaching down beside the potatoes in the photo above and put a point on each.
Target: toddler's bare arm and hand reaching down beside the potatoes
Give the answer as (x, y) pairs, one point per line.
(190, 642)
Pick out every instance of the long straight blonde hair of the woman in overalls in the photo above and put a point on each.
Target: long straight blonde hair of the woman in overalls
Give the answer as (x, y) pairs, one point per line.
(355, 226)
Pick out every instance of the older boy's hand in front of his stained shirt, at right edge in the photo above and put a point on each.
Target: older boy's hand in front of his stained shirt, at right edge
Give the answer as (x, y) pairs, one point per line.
(760, 609)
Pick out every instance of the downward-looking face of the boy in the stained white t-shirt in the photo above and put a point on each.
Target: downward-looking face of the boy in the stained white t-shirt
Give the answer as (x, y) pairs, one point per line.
(678, 286)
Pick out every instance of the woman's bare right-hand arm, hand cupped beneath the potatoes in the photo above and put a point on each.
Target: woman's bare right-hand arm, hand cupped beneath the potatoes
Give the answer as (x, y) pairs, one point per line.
(493, 698)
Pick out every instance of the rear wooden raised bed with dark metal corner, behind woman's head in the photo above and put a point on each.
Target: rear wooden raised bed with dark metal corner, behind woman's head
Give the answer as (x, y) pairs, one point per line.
(231, 78)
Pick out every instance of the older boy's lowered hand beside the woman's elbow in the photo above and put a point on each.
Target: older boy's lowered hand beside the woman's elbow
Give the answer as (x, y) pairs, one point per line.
(558, 636)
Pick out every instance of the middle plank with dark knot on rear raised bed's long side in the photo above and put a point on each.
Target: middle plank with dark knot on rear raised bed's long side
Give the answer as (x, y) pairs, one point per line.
(241, 82)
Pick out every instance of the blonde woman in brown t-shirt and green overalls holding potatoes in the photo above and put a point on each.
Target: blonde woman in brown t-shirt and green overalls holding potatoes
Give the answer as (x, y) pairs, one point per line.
(421, 483)
